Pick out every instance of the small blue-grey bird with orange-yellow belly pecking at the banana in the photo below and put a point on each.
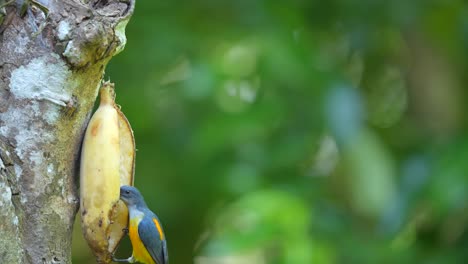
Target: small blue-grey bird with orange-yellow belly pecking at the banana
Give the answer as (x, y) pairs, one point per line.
(145, 230)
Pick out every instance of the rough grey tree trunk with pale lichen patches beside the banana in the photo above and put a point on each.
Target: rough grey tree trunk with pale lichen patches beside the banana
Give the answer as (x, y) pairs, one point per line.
(50, 70)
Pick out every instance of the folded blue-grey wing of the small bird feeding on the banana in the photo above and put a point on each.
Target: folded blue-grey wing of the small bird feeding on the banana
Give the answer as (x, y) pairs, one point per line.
(152, 236)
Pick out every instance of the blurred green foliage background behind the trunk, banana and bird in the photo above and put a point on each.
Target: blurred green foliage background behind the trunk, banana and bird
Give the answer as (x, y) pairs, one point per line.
(300, 131)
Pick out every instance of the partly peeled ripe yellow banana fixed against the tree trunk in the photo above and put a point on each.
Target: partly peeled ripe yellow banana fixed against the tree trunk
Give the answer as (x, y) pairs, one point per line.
(107, 162)
